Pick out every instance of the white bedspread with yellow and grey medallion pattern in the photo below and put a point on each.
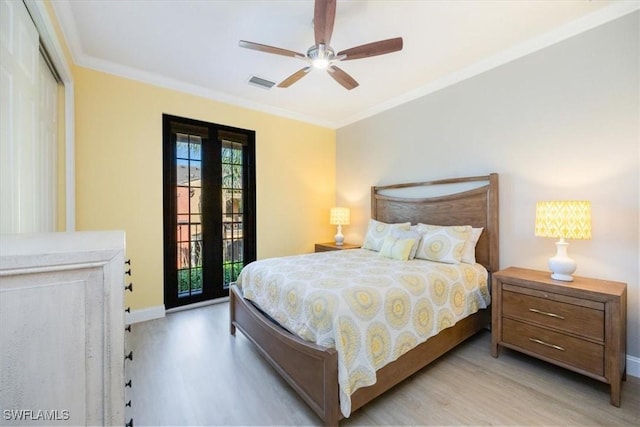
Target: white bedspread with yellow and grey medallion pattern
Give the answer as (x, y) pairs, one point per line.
(369, 308)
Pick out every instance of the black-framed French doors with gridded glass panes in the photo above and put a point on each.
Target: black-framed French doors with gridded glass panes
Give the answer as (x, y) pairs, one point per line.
(209, 208)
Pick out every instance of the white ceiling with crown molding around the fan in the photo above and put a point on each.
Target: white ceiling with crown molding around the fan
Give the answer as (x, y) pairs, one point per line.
(192, 46)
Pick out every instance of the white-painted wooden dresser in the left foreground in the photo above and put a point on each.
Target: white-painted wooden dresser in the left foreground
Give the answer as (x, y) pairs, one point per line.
(62, 328)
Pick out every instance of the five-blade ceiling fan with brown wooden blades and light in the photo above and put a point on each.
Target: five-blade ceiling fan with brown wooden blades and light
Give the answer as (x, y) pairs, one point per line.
(321, 55)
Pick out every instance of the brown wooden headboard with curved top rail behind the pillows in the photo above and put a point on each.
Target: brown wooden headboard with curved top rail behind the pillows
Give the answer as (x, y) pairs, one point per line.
(457, 201)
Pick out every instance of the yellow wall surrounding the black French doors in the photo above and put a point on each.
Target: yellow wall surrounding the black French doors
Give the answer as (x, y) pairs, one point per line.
(119, 171)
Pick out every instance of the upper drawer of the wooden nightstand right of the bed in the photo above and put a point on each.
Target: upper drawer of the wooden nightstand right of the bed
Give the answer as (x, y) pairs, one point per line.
(575, 319)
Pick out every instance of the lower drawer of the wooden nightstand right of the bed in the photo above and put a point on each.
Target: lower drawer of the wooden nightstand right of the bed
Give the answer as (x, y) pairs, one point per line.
(578, 353)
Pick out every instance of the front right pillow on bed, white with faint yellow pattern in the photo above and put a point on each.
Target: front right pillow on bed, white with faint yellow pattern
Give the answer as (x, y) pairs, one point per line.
(442, 243)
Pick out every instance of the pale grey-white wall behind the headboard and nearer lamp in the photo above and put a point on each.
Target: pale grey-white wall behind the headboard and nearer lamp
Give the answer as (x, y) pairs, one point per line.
(561, 123)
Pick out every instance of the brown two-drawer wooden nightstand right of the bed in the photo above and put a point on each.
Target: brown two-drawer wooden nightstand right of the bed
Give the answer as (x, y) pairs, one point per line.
(579, 325)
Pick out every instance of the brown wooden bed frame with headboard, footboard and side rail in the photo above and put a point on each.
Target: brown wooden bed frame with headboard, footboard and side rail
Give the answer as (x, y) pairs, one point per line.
(312, 370)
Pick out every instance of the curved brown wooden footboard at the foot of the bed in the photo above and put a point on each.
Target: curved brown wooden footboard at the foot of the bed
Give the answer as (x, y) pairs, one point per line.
(310, 369)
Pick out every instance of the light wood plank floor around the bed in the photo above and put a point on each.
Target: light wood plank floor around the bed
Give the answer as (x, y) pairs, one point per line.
(188, 370)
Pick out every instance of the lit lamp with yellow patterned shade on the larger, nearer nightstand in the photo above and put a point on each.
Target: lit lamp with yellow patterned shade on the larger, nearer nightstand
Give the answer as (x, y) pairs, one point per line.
(566, 219)
